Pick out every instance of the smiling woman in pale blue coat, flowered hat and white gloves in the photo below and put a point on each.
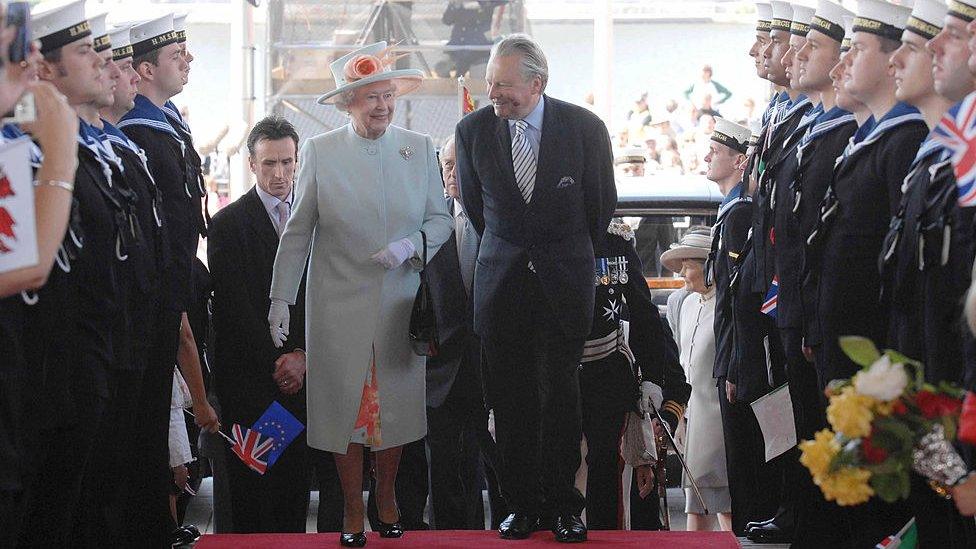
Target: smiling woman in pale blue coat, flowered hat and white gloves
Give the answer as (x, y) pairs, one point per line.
(365, 191)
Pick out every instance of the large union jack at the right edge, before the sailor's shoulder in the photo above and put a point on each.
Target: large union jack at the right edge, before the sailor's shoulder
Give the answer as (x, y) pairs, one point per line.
(957, 131)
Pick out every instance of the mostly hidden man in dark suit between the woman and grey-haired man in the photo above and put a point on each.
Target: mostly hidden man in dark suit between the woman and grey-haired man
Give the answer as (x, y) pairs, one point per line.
(457, 419)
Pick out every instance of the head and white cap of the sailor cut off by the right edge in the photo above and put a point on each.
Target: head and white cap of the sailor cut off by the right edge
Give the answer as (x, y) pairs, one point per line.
(952, 55)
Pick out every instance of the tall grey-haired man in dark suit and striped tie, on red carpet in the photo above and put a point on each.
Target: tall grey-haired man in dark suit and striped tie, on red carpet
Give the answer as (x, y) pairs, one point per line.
(536, 178)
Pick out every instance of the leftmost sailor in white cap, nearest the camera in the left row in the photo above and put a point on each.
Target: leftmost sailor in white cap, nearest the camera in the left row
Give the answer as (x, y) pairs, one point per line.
(76, 315)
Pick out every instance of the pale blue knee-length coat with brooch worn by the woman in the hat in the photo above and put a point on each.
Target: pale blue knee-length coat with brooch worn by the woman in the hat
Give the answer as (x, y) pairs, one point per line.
(352, 198)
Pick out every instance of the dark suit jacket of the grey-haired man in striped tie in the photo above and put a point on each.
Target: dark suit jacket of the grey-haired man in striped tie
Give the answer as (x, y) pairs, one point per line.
(575, 195)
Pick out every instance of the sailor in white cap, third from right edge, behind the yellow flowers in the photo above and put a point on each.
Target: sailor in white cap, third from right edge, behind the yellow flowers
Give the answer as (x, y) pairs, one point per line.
(861, 200)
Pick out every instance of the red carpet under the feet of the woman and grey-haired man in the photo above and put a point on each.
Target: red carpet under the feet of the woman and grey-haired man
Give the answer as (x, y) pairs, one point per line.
(477, 539)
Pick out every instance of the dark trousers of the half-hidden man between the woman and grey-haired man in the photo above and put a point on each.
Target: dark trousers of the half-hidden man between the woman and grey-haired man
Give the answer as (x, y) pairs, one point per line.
(459, 448)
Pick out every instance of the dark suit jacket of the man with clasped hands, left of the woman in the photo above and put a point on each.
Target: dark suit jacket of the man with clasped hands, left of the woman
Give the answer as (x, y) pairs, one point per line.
(241, 253)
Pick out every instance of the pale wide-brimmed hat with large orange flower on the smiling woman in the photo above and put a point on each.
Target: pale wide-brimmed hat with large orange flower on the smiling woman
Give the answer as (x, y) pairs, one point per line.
(372, 63)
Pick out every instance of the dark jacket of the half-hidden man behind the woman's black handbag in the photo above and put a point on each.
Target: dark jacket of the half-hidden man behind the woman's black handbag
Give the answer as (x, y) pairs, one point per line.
(460, 349)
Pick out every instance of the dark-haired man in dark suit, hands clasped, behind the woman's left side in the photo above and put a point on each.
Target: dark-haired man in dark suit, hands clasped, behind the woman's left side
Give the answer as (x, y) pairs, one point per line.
(250, 372)
